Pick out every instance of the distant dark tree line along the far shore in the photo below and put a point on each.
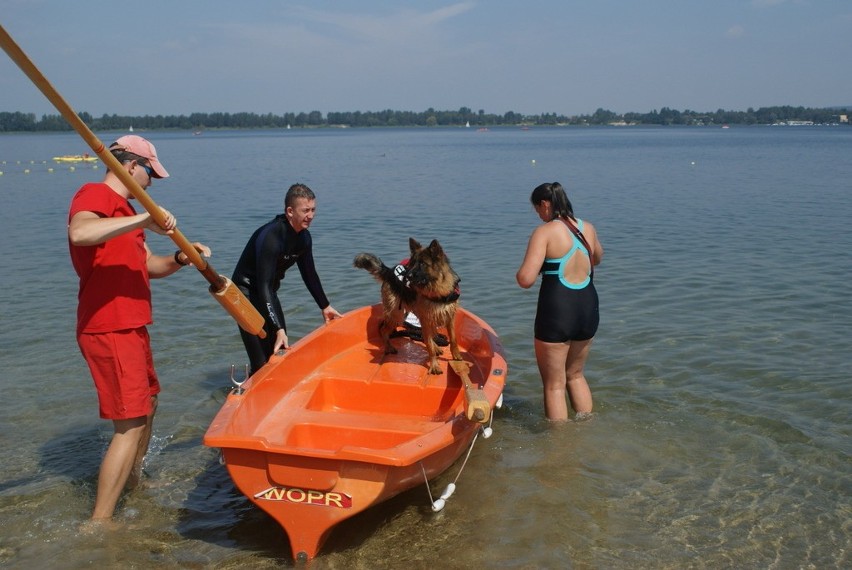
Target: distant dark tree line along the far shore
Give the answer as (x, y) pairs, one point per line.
(26, 122)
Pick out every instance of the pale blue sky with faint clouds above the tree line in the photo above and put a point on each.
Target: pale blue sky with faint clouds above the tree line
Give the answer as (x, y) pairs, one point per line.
(528, 56)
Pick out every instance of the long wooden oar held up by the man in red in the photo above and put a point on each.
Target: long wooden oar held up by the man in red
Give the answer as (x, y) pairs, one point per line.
(222, 289)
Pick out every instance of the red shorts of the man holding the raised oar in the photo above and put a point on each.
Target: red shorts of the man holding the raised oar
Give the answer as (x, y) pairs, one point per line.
(122, 367)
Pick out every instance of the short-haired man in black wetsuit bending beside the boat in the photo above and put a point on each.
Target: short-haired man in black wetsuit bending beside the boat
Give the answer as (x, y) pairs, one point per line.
(272, 249)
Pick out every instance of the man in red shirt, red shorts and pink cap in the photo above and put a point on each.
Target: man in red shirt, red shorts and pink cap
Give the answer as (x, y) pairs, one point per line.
(106, 240)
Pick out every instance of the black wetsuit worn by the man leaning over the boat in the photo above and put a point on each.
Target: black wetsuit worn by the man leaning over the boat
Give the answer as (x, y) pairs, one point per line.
(272, 249)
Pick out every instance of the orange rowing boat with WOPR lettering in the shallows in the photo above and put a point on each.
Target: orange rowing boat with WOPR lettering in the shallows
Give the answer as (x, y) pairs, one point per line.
(334, 425)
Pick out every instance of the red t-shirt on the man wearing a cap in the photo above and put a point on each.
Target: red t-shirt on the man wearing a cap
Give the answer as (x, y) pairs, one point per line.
(115, 290)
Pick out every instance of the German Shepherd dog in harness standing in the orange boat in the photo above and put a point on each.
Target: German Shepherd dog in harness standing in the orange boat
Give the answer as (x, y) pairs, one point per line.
(428, 287)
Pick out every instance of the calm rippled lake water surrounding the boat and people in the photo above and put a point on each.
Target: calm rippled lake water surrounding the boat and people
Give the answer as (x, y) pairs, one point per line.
(722, 434)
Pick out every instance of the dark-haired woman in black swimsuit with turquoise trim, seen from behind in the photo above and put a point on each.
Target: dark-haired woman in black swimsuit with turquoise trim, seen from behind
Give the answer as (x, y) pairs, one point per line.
(564, 249)
